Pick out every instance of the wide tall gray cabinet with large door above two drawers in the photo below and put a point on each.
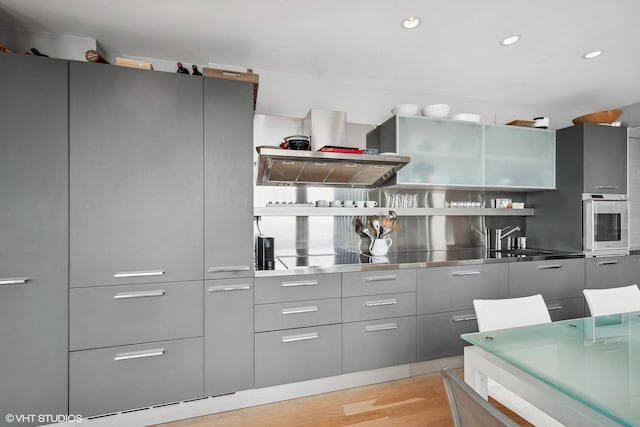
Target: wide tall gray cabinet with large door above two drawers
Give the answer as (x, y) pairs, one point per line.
(136, 238)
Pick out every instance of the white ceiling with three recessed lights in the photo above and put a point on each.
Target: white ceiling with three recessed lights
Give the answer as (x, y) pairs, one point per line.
(456, 51)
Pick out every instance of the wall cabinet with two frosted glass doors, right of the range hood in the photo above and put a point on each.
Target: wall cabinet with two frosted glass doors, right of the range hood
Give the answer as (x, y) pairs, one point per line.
(450, 154)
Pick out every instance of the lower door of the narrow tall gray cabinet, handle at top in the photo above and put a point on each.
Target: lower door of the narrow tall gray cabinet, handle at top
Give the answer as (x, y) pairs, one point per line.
(228, 342)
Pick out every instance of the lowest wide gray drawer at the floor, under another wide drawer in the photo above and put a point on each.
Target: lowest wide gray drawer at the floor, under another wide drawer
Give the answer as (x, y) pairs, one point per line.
(119, 378)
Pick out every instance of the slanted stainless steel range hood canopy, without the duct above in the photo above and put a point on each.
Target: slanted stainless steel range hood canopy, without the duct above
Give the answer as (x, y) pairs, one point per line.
(314, 168)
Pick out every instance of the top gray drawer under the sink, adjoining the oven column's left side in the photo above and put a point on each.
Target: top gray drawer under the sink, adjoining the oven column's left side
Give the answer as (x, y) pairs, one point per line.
(554, 279)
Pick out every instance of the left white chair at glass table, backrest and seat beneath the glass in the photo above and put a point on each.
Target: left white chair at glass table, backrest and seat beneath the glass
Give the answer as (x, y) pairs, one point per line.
(512, 313)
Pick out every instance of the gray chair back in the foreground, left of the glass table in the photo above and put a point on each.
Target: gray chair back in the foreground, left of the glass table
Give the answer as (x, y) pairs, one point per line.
(467, 407)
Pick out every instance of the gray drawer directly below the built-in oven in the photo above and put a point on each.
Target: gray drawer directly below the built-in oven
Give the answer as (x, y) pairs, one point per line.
(611, 272)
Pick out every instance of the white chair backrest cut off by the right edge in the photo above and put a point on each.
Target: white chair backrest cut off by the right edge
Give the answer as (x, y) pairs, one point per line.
(602, 302)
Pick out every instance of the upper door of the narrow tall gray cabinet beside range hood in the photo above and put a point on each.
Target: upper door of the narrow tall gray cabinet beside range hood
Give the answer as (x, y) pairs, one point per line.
(228, 151)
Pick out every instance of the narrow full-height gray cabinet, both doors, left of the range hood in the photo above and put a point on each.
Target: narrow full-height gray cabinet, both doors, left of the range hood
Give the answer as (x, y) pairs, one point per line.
(228, 248)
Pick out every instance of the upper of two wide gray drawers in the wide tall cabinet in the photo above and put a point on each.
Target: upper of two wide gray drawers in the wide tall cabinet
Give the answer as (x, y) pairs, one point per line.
(119, 315)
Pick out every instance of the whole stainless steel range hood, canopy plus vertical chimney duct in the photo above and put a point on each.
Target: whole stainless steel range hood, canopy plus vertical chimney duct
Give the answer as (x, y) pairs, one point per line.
(280, 167)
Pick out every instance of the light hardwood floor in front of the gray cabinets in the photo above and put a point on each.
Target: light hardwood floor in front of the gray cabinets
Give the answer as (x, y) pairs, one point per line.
(415, 401)
